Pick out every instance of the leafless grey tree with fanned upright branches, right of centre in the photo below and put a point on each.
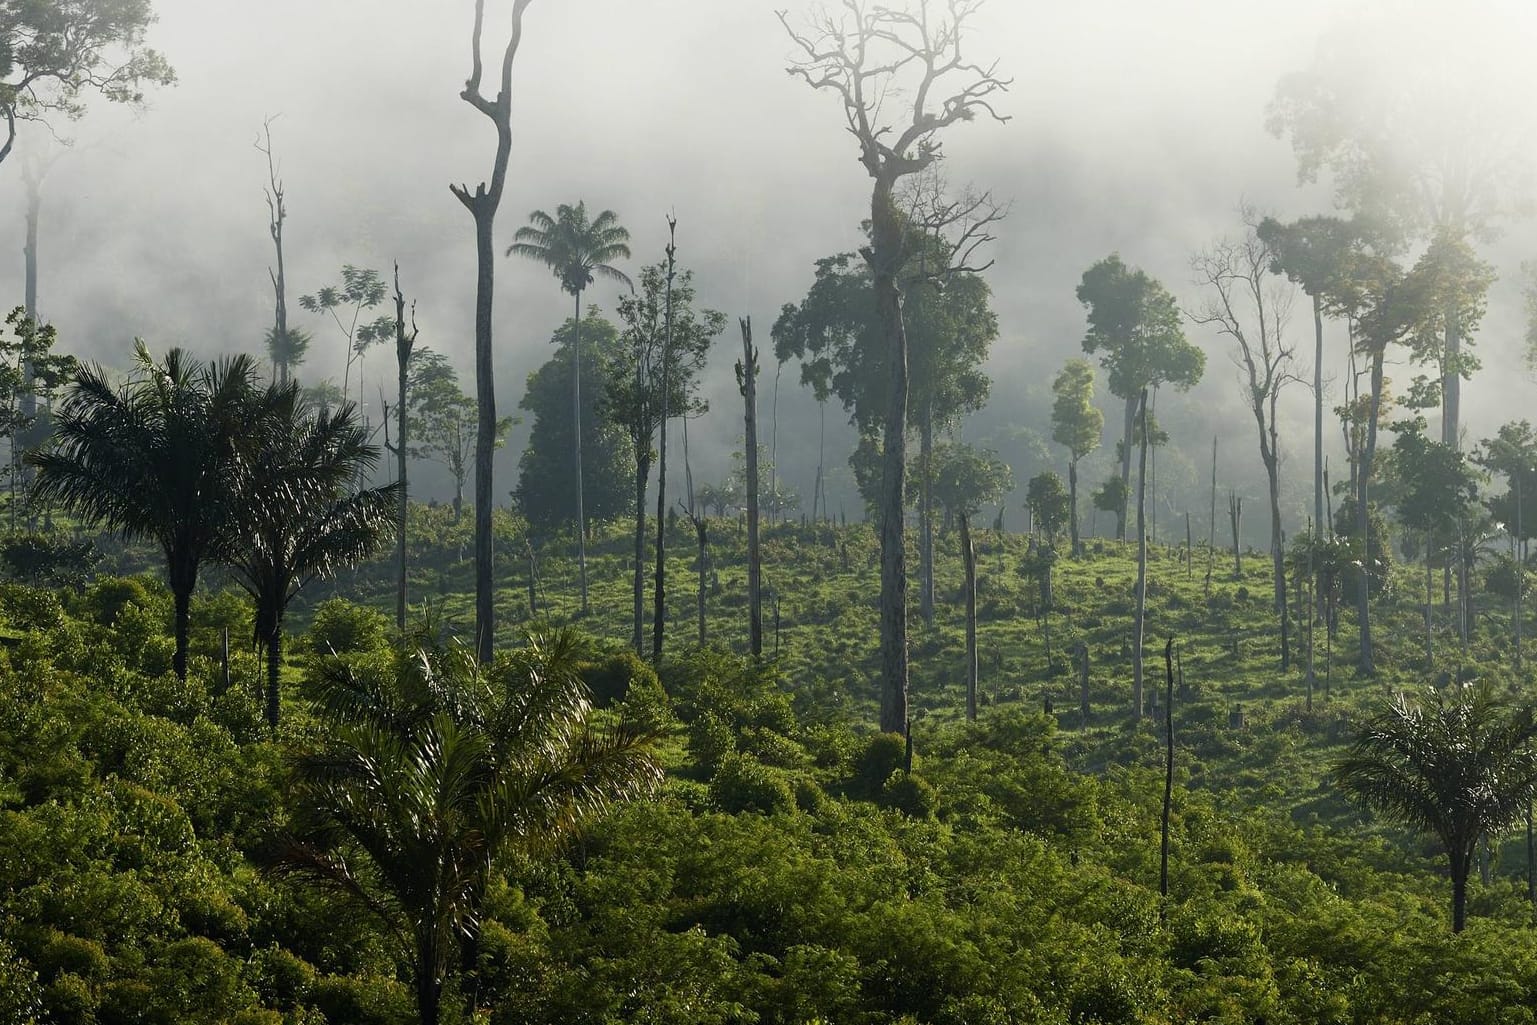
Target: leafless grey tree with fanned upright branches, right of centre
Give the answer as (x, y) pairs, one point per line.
(1250, 305)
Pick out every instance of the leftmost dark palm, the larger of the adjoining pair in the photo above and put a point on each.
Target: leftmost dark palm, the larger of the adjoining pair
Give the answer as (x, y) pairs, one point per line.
(156, 459)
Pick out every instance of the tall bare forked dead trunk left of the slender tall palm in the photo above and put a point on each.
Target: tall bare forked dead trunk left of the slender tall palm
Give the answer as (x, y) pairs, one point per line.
(483, 204)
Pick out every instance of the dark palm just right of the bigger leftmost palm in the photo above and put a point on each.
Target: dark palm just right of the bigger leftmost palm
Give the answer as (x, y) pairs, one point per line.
(297, 516)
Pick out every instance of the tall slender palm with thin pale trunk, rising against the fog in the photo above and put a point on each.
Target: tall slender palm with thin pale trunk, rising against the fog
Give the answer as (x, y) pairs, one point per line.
(576, 250)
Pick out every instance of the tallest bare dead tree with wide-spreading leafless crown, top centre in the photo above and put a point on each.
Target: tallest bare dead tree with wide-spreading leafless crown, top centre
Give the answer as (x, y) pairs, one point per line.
(866, 53)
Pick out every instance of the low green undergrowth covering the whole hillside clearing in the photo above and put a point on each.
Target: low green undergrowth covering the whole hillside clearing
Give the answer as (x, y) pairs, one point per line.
(792, 867)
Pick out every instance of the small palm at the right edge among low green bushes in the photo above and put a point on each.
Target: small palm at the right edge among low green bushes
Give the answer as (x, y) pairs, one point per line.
(1455, 763)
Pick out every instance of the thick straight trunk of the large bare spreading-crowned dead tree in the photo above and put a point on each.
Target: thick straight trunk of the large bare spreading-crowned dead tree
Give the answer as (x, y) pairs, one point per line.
(886, 262)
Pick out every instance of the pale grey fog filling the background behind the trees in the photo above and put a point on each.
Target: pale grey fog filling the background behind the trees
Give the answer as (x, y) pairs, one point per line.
(1135, 128)
